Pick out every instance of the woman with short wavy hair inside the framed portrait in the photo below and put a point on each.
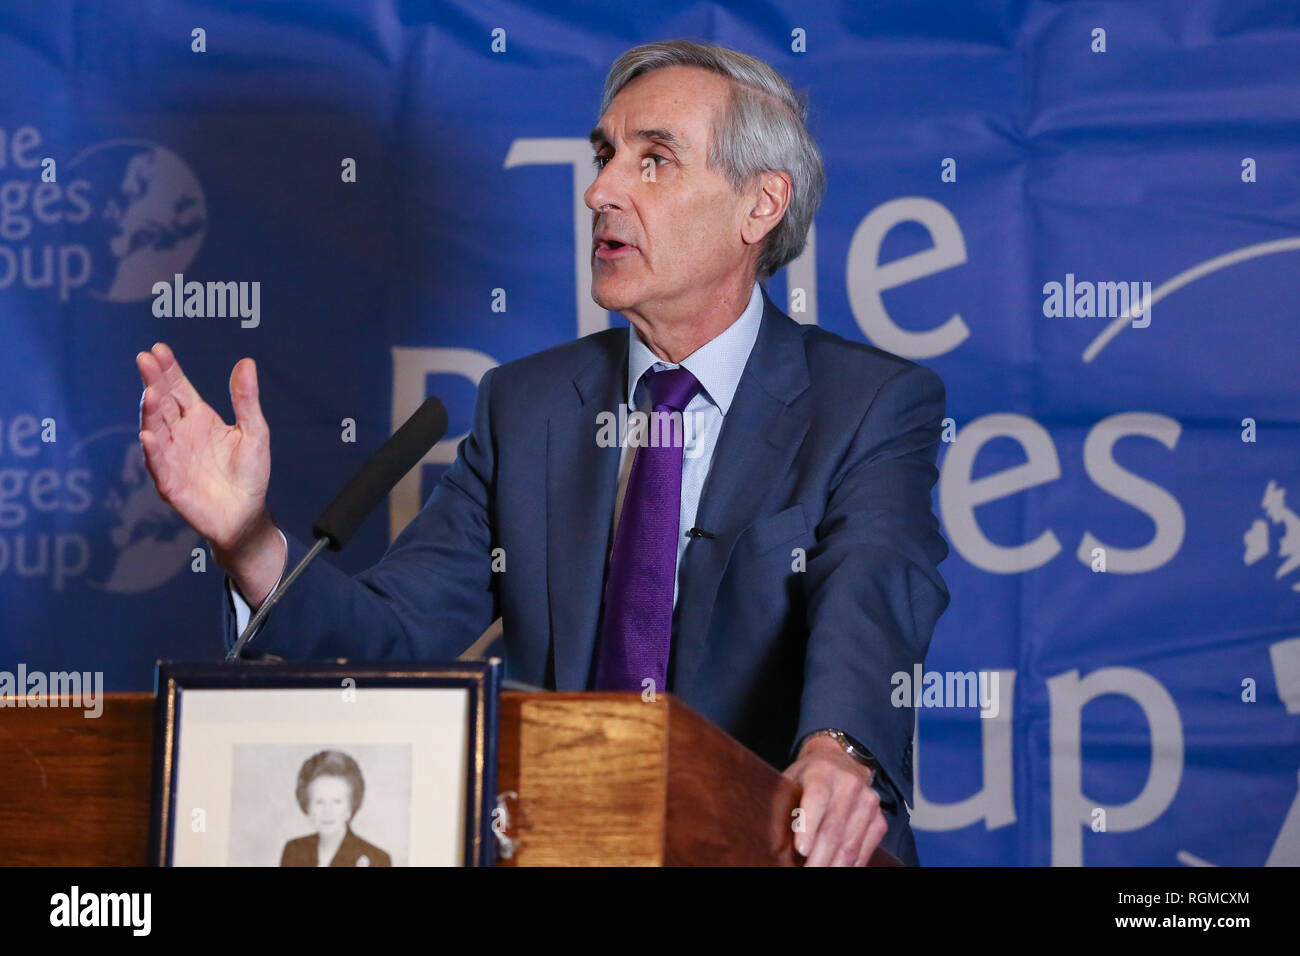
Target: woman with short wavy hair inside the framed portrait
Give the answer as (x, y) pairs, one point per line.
(330, 791)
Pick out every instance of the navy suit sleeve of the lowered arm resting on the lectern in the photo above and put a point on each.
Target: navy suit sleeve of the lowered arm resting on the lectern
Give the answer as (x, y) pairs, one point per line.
(872, 585)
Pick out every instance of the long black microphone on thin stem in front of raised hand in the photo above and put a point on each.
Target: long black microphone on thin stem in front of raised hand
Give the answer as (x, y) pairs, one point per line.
(369, 488)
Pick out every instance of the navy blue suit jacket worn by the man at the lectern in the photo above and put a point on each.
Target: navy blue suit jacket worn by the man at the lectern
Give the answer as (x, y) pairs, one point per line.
(829, 448)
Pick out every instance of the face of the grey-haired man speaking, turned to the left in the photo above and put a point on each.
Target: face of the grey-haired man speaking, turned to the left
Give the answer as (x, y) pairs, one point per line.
(681, 222)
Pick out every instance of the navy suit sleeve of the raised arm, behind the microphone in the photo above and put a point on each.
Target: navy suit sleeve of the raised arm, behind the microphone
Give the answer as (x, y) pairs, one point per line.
(430, 596)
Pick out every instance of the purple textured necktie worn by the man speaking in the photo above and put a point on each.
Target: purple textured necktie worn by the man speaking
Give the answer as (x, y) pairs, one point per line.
(636, 625)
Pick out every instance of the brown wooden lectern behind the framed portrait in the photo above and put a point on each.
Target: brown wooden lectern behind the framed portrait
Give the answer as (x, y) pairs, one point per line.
(590, 780)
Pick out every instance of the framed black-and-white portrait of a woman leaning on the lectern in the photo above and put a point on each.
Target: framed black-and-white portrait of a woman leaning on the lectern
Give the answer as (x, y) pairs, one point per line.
(324, 764)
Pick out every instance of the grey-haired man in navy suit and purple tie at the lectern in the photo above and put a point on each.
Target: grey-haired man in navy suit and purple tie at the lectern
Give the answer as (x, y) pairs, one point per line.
(774, 568)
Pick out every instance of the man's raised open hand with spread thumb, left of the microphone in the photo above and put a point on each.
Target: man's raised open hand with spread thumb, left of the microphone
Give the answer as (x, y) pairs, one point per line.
(215, 475)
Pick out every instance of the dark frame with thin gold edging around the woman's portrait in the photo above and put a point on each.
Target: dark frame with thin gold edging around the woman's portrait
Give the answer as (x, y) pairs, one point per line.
(482, 680)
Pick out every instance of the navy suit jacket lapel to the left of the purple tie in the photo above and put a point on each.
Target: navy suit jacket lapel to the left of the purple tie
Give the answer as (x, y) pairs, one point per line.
(582, 485)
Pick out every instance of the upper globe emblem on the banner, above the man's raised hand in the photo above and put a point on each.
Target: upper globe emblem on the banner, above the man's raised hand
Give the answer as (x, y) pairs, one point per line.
(149, 217)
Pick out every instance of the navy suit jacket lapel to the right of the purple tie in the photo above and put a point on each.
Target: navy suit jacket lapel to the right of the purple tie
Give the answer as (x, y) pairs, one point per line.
(761, 435)
